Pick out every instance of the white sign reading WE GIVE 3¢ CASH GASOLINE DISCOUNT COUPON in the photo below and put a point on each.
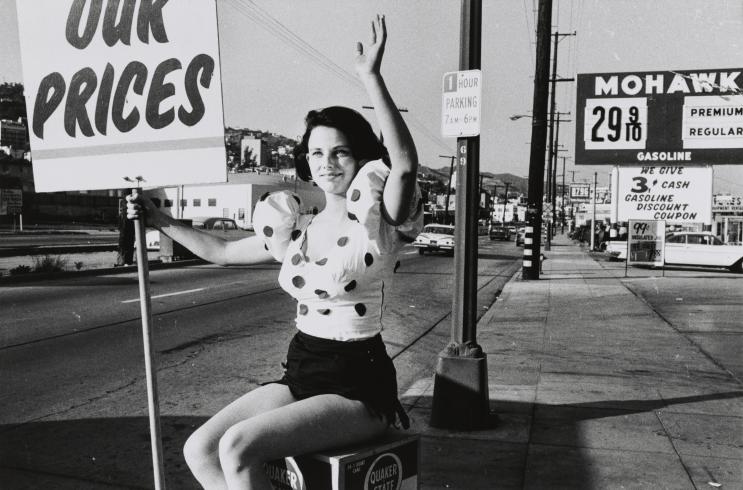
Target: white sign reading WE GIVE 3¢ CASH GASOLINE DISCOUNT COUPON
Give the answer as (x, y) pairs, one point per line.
(671, 193)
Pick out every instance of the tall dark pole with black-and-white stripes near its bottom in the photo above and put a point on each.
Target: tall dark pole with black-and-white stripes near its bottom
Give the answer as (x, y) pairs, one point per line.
(532, 238)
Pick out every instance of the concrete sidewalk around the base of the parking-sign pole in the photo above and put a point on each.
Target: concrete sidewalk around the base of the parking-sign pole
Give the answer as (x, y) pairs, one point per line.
(593, 390)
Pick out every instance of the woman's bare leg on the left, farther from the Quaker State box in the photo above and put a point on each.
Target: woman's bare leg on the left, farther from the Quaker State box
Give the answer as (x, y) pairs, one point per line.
(202, 447)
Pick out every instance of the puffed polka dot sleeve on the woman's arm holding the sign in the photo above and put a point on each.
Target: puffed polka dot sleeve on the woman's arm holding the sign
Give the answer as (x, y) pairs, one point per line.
(275, 220)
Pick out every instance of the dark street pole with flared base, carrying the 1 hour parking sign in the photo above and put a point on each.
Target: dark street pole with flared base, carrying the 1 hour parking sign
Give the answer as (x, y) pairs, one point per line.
(460, 392)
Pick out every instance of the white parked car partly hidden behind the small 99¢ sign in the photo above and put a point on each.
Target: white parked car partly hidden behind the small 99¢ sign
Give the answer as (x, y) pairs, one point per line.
(691, 248)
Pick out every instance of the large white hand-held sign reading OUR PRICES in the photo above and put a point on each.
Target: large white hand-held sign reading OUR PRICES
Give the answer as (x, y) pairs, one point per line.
(122, 89)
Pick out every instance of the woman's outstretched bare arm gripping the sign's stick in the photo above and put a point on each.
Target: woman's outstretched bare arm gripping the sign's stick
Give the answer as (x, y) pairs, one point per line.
(213, 249)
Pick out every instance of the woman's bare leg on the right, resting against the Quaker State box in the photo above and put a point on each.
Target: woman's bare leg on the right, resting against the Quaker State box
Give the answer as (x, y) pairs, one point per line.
(306, 426)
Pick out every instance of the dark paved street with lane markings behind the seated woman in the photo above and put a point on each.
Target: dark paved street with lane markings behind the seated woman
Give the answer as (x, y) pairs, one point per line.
(71, 354)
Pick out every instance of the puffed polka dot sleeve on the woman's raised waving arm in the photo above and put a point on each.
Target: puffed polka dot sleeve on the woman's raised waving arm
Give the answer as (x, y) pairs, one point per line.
(364, 203)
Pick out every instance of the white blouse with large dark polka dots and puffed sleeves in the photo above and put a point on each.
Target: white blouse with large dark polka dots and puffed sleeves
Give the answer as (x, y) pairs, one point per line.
(339, 295)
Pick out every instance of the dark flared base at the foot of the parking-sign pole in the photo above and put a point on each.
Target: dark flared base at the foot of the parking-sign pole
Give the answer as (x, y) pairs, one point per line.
(460, 393)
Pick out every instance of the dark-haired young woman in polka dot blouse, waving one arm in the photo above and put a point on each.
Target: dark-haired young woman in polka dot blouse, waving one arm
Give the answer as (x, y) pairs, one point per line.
(339, 386)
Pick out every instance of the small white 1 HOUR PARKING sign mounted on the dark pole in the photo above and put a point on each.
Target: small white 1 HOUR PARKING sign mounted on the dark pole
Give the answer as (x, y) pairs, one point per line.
(460, 103)
